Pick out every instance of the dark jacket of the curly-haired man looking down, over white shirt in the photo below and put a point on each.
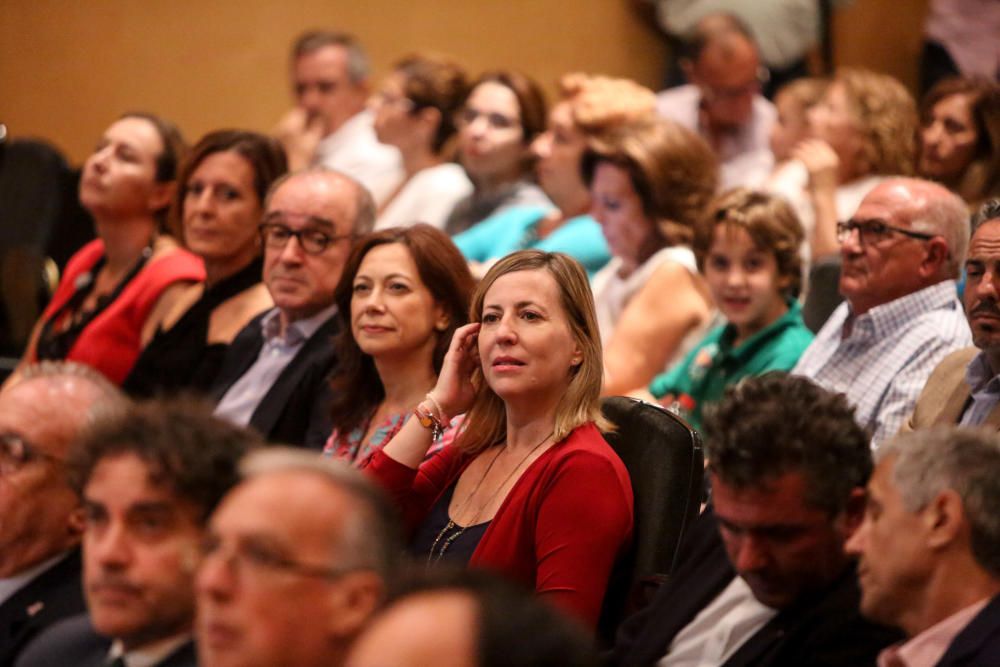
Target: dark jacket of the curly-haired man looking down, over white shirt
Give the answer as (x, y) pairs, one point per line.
(825, 629)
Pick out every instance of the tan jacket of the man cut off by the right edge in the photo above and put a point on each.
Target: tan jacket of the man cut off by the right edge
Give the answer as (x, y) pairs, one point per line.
(946, 394)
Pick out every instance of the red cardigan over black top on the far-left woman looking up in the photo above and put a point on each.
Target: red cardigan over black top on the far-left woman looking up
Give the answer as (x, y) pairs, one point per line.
(112, 341)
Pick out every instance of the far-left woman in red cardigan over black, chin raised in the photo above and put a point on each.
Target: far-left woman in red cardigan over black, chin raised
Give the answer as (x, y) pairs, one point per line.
(117, 288)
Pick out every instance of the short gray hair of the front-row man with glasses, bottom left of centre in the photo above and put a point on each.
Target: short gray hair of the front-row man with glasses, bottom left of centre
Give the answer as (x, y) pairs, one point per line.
(370, 537)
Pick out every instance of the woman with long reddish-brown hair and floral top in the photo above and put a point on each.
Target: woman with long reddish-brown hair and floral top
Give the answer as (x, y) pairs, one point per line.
(403, 293)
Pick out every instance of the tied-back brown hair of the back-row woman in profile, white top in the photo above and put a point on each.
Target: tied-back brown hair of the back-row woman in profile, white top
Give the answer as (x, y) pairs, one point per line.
(437, 83)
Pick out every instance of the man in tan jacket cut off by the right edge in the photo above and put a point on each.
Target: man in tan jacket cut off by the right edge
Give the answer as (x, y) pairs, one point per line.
(965, 388)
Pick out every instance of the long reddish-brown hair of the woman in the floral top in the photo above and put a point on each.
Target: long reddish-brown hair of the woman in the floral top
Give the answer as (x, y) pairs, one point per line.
(357, 388)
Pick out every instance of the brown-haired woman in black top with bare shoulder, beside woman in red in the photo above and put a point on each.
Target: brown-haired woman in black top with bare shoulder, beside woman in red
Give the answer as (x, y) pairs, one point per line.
(219, 204)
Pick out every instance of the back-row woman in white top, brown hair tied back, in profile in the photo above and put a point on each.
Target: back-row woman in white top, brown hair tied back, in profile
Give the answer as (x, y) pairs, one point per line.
(416, 112)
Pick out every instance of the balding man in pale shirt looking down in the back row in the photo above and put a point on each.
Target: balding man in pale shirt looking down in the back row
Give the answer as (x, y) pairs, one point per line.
(723, 102)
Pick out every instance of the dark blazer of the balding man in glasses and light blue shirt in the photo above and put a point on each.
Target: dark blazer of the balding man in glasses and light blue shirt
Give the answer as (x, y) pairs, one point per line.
(298, 402)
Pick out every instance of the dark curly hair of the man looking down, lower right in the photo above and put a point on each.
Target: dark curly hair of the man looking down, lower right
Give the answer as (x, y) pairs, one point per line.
(767, 426)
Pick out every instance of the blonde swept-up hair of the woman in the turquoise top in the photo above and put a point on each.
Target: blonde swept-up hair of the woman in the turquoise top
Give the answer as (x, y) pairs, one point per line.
(601, 103)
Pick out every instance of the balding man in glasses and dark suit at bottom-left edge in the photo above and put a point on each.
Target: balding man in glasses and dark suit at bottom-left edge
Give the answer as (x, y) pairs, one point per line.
(41, 413)
